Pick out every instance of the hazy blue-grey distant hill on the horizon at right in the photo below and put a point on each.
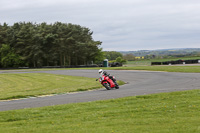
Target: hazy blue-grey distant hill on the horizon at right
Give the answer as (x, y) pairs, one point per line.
(180, 51)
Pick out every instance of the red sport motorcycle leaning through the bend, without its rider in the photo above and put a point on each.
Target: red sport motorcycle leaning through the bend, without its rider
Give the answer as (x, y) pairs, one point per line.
(108, 82)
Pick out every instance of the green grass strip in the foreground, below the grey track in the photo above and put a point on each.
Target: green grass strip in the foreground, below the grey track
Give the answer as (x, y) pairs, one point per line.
(176, 112)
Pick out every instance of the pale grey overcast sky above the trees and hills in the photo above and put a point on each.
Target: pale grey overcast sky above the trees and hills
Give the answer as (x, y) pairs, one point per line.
(127, 25)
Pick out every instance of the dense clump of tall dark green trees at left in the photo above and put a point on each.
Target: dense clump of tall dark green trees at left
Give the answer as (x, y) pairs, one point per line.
(28, 44)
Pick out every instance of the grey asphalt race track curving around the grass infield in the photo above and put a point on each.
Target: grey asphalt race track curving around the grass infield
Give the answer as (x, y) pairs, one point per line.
(138, 83)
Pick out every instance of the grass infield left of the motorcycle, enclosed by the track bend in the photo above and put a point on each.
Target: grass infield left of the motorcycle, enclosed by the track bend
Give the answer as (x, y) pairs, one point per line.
(24, 85)
